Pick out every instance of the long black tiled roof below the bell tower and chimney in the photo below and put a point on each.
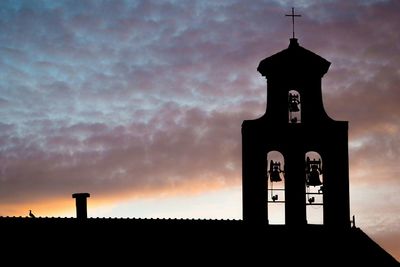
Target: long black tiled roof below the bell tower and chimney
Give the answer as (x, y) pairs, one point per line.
(191, 242)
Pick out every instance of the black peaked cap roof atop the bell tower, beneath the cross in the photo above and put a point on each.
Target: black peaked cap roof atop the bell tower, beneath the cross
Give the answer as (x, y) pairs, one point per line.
(294, 61)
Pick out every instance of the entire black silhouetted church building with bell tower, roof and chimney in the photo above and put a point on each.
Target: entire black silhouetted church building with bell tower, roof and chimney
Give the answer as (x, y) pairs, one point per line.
(294, 144)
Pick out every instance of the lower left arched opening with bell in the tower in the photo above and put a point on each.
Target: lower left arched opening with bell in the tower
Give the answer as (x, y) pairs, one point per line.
(275, 173)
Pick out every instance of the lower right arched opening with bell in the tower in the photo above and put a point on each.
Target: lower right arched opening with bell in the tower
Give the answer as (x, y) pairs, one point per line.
(314, 188)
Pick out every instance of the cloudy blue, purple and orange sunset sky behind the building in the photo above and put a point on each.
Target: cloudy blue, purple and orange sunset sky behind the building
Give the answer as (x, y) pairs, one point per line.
(140, 103)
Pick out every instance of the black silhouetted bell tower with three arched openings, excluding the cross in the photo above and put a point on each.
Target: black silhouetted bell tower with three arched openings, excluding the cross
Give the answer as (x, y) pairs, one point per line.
(313, 167)
